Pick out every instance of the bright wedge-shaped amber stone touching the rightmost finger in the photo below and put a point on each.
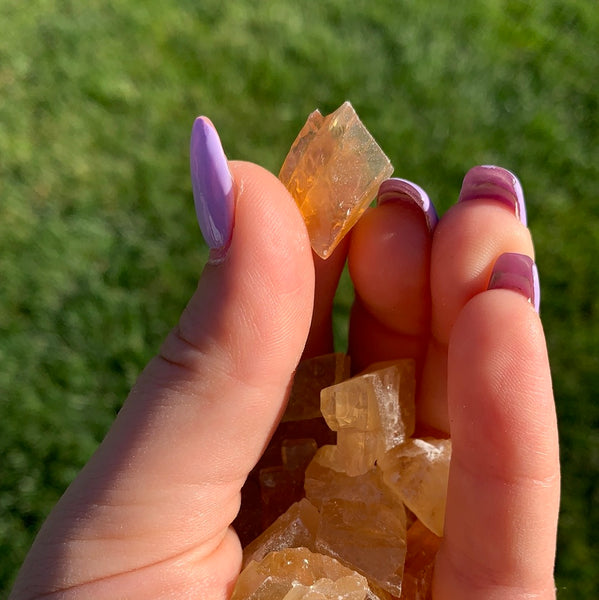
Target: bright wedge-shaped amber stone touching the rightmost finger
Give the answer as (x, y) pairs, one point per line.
(418, 472)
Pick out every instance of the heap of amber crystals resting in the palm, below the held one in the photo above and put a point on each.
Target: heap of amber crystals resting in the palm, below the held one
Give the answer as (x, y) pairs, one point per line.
(359, 516)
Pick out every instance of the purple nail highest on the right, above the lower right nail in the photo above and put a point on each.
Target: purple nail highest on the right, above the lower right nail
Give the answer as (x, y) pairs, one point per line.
(494, 183)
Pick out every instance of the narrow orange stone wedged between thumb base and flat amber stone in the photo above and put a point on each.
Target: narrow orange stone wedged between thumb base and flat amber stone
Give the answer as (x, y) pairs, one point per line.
(296, 528)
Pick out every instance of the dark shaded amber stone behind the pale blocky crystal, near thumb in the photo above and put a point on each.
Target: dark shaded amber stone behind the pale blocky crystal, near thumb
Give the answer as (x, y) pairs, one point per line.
(311, 376)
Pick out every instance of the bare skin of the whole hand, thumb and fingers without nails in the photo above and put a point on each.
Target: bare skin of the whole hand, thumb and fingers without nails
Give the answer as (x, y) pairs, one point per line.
(149, 516)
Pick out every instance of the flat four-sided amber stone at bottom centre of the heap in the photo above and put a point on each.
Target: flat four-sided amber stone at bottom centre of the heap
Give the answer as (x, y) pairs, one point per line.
(371, 538)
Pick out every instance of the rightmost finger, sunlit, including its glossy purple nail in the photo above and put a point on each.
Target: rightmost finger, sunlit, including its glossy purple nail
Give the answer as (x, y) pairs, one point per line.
(503, 496)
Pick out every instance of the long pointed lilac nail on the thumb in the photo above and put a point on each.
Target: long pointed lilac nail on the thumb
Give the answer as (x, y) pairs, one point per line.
(212, 184)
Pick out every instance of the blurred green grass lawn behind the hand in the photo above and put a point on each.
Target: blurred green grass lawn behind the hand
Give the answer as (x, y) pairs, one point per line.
(99, 248)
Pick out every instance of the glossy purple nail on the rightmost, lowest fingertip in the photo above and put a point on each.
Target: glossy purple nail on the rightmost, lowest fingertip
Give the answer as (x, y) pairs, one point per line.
(517, 272)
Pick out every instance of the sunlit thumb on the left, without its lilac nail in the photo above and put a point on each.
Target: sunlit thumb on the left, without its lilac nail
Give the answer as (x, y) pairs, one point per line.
(162, 489)
